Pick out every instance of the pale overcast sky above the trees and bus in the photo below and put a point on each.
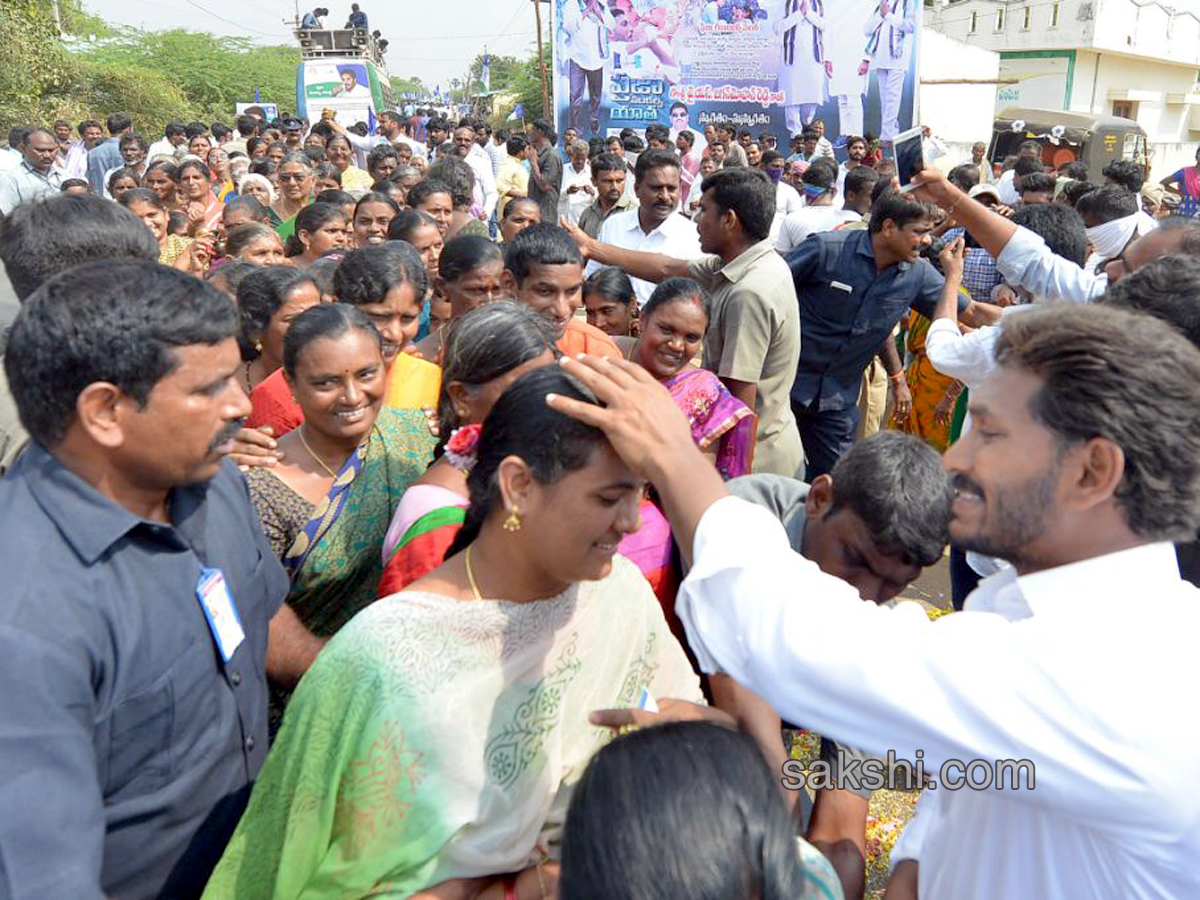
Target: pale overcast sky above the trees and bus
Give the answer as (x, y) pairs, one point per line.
(436, 41)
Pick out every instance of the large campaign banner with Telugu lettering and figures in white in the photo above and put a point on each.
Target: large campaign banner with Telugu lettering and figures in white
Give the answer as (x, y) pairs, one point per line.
(765, 65)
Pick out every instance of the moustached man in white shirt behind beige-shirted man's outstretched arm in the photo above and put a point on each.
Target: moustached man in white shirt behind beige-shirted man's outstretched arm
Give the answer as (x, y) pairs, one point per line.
(657, 226)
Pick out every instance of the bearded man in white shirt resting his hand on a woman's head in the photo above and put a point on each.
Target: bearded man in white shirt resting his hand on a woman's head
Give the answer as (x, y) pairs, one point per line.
(1079, 777)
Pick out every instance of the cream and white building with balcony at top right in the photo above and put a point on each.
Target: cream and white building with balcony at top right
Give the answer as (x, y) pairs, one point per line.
(1129, 58)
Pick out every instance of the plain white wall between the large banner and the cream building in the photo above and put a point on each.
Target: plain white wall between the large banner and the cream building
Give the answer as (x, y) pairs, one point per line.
(959, 115)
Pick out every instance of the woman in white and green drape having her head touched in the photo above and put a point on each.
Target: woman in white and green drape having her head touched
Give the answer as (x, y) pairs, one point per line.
(433, 748)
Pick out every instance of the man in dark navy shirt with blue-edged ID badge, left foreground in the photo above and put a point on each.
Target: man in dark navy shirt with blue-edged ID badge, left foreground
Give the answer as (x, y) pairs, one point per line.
(135, 650)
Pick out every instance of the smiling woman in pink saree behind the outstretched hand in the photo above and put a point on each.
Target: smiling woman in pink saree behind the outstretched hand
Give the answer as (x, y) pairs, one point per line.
(673, 332)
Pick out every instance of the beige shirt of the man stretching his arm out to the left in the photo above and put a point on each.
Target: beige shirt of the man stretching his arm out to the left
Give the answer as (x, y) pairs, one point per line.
(754, 335)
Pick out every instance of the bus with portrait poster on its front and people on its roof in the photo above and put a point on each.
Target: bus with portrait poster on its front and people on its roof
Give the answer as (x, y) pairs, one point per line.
(343, 70)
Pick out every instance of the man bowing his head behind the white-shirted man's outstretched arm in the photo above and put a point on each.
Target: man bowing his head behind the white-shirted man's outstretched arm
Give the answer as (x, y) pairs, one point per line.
(880, 518)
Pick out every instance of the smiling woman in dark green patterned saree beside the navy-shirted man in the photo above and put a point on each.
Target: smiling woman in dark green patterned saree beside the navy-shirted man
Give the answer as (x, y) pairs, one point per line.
(327, 503)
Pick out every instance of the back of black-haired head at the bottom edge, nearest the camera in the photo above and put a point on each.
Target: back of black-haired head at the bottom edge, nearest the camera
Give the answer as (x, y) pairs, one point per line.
(639, 827)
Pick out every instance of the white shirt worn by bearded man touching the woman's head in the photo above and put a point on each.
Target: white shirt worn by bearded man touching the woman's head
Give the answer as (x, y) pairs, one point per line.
(1087, 670)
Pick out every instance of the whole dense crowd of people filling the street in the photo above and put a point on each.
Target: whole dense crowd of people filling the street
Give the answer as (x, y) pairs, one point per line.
(455, 513)
